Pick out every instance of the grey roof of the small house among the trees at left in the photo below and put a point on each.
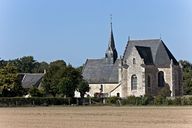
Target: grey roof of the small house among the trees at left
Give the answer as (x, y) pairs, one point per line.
(30, 80)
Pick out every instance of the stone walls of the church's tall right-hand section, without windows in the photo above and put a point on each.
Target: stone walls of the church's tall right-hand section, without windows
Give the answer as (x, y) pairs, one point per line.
(172, 77)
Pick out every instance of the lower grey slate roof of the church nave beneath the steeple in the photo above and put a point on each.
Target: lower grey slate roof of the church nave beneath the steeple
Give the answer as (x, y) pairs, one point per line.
(97, 71)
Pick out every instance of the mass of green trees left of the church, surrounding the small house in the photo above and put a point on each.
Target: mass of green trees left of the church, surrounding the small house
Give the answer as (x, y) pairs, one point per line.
(60, 79)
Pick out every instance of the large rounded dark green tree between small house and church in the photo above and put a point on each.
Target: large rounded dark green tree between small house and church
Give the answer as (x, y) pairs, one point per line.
(54, 80)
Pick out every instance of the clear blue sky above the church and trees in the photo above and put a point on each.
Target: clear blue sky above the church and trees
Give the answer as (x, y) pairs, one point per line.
(74, 30)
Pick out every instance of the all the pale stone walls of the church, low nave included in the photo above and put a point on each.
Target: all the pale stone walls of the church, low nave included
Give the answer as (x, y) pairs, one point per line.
(147, 78)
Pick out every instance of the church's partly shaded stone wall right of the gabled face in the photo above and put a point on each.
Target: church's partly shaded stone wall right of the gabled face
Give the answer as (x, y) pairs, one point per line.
(172, 77)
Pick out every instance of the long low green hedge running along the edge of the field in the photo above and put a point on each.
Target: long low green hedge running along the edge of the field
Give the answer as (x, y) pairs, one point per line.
(131, 101)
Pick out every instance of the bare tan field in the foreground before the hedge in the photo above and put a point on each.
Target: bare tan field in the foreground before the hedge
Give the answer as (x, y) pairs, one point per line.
(96, 117)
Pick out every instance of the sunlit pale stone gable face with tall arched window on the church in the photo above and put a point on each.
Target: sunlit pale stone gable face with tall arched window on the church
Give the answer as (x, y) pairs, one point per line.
(134, 62)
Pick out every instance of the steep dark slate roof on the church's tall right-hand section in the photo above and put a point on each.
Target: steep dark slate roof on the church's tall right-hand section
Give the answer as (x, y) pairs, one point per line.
(161, 55)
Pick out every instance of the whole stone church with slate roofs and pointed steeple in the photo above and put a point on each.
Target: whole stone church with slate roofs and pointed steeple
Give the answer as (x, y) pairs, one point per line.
(145, 68)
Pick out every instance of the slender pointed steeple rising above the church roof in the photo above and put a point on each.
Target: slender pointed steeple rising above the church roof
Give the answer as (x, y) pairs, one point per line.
(111, 52)
